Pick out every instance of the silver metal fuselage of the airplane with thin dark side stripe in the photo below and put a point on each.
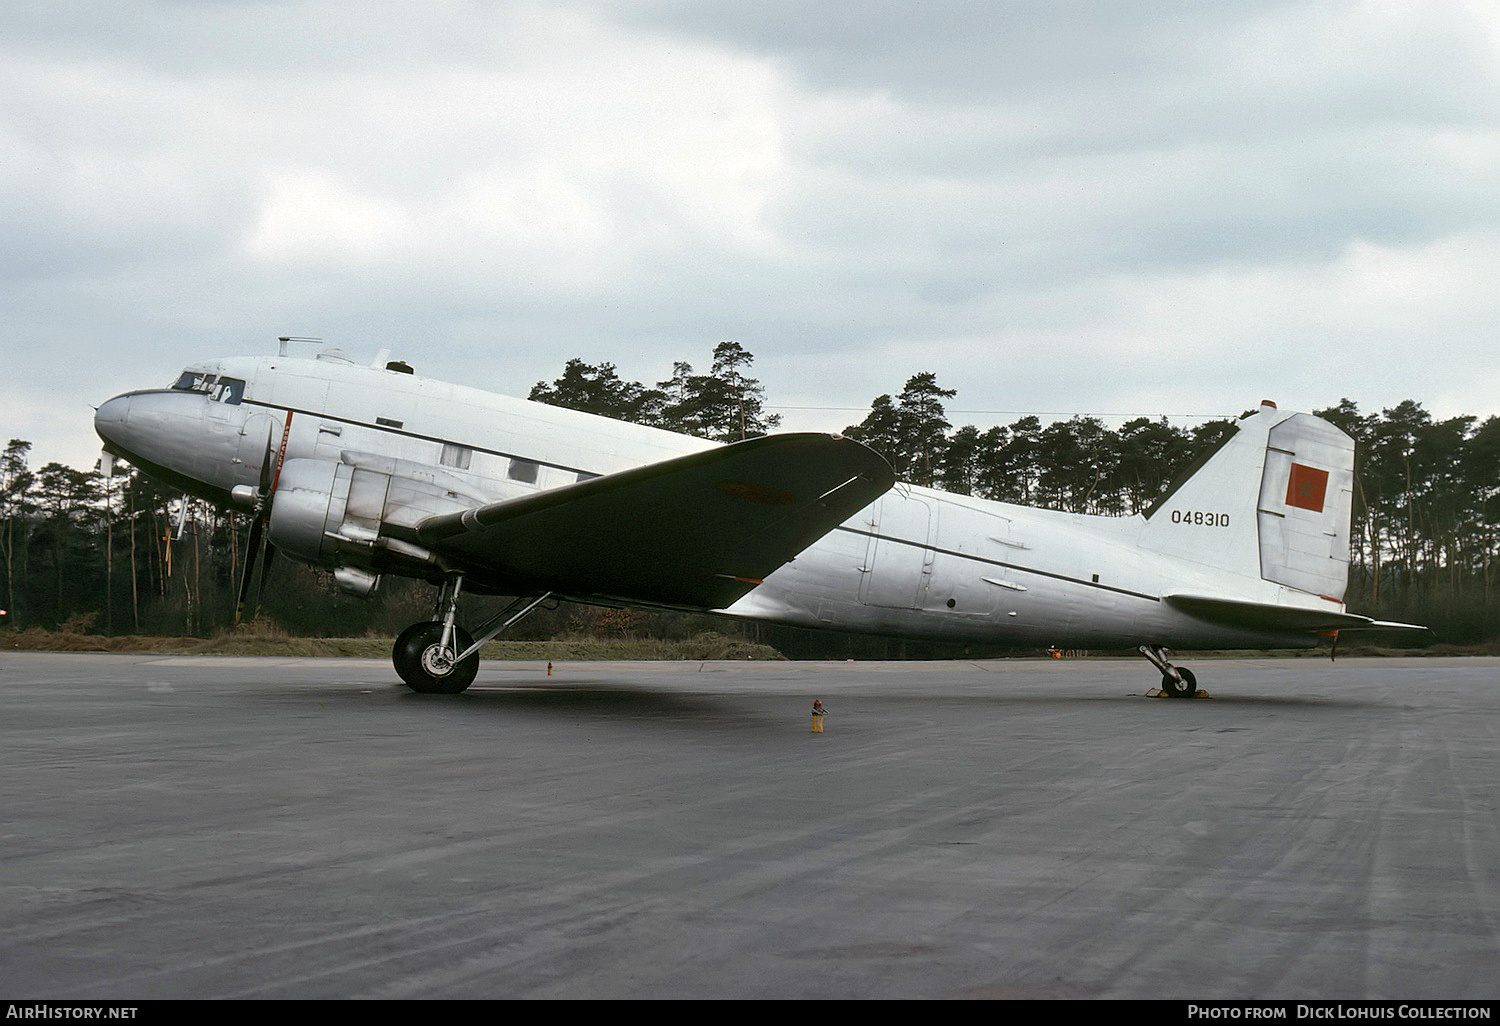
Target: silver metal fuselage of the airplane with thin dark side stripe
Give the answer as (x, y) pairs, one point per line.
(916, 563)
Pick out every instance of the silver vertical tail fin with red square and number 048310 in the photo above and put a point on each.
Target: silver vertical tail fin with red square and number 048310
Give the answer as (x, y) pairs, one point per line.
(1273, 503)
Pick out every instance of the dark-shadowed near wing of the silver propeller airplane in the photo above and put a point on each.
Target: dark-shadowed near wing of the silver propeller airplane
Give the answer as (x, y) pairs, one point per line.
(694, 532)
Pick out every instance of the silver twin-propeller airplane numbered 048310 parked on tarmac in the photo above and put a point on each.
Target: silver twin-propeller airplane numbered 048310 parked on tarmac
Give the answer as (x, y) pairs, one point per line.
(373, 470)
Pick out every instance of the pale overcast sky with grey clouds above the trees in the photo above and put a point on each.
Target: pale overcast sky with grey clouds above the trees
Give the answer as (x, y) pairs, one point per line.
(1120, 208)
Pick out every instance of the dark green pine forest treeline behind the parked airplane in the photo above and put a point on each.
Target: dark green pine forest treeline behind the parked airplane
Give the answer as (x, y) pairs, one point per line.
(122, 556)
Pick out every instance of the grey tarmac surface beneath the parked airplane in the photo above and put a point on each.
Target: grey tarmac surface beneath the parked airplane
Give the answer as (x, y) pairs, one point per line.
(179, 827)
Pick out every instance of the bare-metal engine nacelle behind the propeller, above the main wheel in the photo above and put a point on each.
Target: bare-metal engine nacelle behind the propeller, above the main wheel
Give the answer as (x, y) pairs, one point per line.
(331, 515)
